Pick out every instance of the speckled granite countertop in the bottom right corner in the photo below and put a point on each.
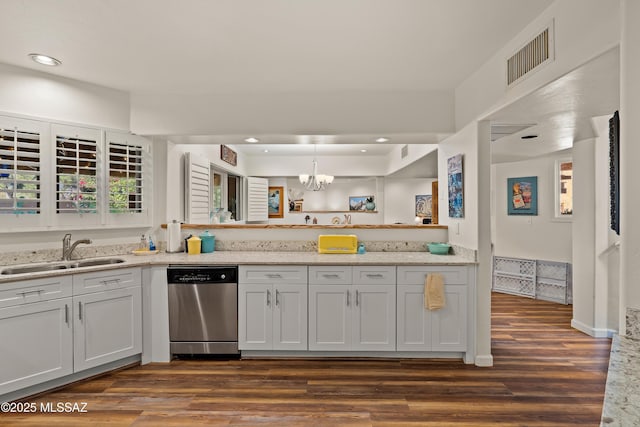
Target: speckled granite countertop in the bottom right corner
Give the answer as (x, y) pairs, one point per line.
(622, 395)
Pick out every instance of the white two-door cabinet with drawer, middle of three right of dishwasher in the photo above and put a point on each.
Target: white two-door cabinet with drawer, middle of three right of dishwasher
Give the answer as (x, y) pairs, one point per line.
(349, 311)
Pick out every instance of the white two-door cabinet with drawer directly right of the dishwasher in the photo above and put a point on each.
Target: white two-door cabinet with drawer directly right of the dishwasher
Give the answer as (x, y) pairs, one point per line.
(272, 308)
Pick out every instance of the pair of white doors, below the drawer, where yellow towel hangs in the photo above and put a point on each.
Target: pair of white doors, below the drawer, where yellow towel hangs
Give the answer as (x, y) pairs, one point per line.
(440, 330)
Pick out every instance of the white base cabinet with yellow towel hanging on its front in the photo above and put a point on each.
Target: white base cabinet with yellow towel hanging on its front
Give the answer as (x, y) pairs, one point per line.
(420, 329)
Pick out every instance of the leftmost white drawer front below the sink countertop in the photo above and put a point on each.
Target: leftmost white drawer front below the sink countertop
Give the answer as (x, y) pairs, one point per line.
(28, 291)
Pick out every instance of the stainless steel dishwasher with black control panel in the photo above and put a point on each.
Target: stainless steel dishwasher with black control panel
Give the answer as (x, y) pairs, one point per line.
(203, 309)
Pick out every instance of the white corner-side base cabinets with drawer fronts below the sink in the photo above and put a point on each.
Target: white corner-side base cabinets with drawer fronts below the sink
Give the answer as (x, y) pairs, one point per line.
(47, 332)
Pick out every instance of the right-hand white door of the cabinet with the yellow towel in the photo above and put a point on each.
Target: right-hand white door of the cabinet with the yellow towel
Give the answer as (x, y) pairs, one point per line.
(449, 324)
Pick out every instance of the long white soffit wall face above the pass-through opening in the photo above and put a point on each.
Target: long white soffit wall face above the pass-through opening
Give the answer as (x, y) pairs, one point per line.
(312, 112)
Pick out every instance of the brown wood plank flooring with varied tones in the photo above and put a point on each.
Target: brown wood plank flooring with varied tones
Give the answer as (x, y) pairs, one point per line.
(544, 374)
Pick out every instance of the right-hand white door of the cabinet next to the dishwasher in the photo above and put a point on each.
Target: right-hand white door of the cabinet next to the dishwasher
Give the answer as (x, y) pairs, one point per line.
(290, 317)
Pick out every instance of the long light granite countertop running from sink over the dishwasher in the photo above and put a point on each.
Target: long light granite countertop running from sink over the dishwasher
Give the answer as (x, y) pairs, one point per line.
(250, 257)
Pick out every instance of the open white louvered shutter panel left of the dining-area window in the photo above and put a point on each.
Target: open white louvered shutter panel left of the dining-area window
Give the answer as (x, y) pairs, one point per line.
(197, 189)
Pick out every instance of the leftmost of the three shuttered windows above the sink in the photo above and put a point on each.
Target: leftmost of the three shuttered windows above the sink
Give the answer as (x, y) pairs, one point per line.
(20, 189)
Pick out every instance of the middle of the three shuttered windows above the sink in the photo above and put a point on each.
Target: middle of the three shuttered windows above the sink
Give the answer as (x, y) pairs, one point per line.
(76, 175)
